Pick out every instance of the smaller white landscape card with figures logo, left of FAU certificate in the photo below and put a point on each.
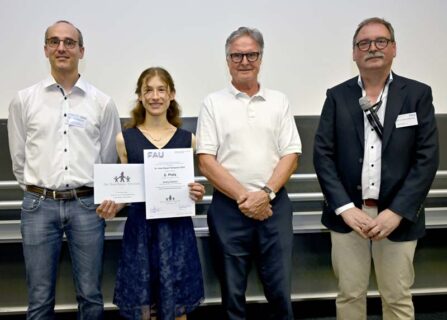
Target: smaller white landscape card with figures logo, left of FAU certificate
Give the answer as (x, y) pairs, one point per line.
(121, 183)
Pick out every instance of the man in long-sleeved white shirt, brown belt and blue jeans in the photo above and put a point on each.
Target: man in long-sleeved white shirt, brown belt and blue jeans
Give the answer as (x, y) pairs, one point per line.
(58, 129)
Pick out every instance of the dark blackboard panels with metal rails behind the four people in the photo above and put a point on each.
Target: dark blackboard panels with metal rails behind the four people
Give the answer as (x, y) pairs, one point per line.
(312, 273)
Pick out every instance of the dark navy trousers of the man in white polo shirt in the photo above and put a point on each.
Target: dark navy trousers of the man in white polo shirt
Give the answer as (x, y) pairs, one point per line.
(237, 241)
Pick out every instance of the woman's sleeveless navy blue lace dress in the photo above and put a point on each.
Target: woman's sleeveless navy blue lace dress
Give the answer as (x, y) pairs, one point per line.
(159, 268)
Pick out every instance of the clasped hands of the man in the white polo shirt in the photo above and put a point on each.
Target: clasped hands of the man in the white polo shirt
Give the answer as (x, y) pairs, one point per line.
(255, 205)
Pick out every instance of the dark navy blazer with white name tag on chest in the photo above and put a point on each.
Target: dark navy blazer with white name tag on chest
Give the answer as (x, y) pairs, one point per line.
(410, 155)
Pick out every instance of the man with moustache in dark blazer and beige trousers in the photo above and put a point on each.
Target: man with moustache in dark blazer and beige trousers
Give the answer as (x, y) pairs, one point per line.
(375, 180)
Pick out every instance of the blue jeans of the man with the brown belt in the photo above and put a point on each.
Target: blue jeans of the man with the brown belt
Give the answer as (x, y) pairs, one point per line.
(44, 222)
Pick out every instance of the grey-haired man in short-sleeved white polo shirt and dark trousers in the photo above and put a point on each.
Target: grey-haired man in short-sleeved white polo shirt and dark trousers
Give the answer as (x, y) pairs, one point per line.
(248, 146)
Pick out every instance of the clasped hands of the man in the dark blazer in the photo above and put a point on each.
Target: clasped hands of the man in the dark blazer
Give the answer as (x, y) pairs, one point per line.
(376, 228)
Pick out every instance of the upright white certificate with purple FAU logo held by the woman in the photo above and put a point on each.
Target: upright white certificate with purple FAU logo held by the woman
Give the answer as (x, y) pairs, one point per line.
(167, 174)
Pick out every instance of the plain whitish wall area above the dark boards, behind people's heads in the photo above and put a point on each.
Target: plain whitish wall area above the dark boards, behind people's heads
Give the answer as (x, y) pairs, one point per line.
(308, 44)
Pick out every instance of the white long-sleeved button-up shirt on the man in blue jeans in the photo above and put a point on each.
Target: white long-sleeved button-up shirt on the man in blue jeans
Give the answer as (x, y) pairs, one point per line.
(55, 137)
